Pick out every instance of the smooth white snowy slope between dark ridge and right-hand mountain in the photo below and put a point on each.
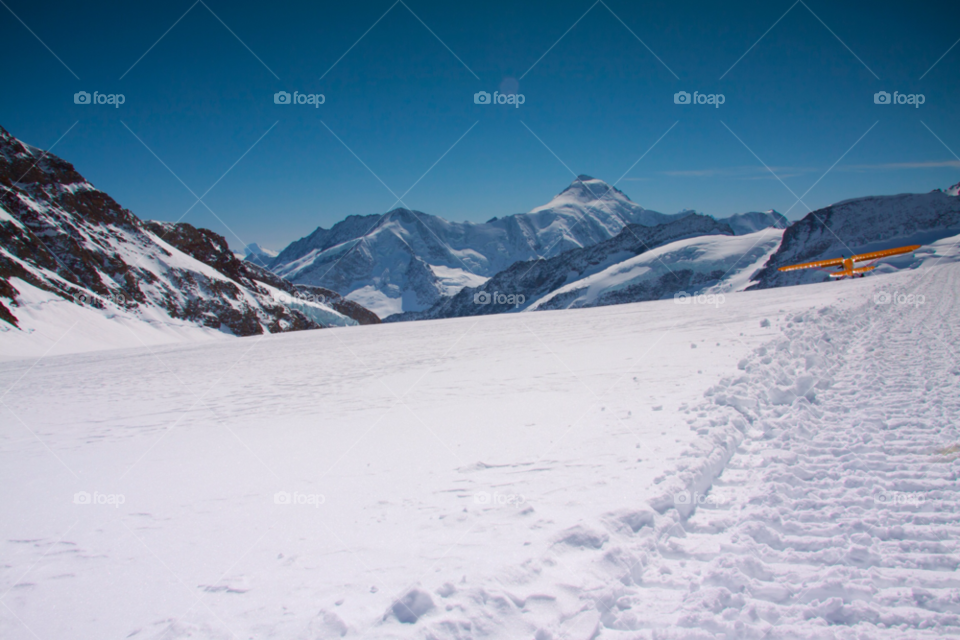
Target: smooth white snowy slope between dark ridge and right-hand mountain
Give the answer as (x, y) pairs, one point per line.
(691, 267)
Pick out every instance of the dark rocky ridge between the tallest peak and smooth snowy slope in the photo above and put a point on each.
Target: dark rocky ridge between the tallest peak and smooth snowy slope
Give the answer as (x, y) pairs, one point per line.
(524, 283)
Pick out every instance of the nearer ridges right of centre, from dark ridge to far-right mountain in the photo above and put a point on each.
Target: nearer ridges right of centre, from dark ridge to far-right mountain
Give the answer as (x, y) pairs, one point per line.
(696, 254)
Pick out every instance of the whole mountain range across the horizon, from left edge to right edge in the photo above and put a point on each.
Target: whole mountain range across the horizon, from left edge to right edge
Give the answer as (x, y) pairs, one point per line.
(63, 242)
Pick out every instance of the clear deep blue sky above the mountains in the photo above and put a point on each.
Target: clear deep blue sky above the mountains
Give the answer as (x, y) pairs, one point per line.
(199, 99)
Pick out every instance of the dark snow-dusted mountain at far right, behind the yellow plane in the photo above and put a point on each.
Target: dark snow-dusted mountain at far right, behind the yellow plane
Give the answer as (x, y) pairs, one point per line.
(862, 225)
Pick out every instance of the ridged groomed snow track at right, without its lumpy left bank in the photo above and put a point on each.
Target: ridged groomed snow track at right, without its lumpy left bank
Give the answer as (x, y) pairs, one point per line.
(836, 517)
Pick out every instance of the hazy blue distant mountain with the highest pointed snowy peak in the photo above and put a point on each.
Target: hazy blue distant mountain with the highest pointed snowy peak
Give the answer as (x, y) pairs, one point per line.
(409, 260)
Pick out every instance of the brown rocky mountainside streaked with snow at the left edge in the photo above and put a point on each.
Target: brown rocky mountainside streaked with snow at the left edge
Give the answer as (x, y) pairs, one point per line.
(68, 249)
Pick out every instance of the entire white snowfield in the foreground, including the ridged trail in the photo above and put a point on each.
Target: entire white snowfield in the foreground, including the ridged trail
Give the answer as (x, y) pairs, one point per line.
(781, 464)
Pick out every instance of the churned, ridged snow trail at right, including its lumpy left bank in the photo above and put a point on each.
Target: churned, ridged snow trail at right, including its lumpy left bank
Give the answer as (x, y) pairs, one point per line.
(822, 502)
